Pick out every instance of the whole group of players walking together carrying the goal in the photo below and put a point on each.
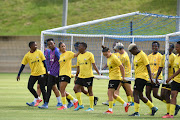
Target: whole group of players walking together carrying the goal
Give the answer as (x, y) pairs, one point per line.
(55, 69)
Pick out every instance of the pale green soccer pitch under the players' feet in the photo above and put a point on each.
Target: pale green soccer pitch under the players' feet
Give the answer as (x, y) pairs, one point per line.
(14, 95)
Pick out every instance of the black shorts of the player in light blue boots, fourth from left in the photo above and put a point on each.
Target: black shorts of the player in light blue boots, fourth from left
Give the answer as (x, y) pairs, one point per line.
(87, 82)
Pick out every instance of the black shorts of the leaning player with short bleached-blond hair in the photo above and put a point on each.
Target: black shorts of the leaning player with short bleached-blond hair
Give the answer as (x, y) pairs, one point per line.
(139, 84)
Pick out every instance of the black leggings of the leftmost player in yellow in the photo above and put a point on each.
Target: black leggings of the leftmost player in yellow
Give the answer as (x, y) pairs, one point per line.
(41, 81)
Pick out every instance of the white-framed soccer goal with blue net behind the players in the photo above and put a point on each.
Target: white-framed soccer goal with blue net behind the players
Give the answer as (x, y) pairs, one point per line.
(135, 27)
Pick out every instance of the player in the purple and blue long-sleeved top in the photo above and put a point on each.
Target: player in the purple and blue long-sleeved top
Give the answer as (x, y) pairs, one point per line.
(53, 73)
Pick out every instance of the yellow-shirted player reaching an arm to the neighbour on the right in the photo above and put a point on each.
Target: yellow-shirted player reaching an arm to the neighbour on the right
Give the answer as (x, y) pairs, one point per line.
(65, 62)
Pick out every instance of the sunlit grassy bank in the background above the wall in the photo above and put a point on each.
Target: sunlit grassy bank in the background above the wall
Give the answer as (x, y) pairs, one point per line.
(30, 17)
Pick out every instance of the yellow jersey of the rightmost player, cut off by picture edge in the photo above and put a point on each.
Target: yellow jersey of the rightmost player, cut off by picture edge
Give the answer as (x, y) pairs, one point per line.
(176, 67)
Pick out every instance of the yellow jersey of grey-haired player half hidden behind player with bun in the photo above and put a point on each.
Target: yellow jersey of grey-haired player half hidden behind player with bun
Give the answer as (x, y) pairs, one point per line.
(124, 58)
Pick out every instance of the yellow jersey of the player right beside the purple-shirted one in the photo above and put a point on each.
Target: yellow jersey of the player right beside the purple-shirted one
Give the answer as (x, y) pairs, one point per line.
(65, 62)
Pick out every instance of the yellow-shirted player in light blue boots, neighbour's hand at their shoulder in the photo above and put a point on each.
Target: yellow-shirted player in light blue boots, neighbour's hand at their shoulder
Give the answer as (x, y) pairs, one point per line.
(84, 75)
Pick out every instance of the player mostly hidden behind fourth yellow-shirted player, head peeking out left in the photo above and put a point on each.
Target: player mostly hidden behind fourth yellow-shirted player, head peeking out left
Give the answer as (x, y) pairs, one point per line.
(82, 88)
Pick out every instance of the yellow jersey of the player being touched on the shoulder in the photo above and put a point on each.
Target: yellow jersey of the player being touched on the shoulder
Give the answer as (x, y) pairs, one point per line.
(84, 61)
